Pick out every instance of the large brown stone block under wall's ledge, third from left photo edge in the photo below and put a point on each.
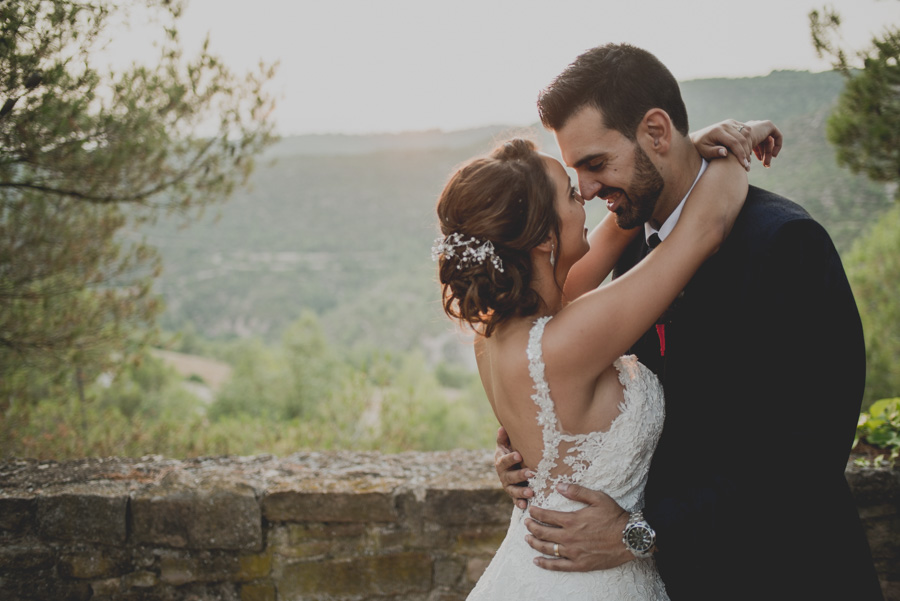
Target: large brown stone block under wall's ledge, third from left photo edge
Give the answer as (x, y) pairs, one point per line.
(208, 517)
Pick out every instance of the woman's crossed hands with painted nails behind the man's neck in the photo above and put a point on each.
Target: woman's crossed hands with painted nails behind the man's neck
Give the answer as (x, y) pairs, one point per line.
(762, 138)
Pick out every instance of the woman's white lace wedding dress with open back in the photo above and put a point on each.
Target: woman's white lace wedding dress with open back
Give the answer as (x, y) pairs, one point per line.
(615, 461)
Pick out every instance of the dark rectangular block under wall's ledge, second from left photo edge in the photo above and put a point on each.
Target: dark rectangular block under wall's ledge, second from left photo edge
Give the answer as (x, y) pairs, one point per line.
(83, 518)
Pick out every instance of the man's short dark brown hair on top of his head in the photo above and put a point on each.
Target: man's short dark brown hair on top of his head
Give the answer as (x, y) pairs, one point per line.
(622, 81)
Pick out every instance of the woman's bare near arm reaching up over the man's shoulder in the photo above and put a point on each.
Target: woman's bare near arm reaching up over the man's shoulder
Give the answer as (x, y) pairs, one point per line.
(592, 331)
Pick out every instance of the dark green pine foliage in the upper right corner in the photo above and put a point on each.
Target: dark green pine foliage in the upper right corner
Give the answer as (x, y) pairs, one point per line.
(865, 125)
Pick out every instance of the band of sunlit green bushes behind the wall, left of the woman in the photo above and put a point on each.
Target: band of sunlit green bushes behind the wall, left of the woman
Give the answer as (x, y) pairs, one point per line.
(388, 402)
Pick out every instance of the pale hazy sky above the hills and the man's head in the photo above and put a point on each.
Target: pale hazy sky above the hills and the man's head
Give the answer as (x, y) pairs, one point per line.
(395, 65)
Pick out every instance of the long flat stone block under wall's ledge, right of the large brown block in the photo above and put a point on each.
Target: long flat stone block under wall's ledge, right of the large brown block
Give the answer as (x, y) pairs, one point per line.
(305, 506)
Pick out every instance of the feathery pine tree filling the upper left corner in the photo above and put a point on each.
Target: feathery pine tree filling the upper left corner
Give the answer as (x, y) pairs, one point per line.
(88, 155)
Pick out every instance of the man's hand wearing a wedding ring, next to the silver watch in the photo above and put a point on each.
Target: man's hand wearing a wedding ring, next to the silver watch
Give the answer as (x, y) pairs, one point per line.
(589, 539)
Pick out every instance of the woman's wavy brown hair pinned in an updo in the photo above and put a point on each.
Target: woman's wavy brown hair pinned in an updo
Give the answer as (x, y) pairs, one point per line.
(506, 199)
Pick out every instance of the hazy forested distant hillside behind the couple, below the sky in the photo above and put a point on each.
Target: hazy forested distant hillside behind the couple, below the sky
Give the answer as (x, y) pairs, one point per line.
(343, 225)
